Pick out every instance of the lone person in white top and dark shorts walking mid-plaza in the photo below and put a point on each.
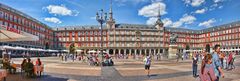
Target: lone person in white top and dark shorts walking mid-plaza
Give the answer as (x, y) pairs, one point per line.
(147, 62)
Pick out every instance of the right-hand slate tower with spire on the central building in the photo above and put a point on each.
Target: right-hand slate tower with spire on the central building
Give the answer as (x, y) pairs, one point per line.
(159, 23)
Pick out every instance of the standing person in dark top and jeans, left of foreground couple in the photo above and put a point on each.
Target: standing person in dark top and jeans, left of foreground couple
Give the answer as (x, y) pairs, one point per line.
(194, 64)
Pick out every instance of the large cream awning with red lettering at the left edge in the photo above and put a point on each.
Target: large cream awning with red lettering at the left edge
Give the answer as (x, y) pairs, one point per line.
(11, 34)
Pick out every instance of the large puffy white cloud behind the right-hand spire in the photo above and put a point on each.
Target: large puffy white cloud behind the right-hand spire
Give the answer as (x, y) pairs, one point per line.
(153, 9)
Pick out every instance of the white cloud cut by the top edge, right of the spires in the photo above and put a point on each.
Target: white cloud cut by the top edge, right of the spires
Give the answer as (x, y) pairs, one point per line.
(194, 3)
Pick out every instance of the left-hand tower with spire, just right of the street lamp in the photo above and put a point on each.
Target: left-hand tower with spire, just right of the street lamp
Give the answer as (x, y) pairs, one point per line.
(111, 21)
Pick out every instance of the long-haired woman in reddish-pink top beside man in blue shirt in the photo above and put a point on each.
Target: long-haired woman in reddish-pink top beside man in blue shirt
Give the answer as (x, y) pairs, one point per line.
(207, 69)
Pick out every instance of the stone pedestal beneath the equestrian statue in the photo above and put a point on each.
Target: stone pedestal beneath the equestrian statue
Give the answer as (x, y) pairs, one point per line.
(172, 51)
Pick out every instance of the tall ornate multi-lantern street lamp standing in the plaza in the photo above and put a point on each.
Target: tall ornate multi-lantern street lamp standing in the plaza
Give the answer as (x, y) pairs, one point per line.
(101, 19)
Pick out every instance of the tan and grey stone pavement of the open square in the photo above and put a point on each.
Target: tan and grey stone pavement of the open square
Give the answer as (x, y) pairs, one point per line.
(124, 70)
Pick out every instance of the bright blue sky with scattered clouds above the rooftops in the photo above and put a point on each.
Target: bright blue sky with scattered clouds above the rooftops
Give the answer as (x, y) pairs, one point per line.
(193, 14)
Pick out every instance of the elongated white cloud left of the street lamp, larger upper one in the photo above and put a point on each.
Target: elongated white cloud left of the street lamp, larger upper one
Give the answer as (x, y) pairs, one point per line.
(61, 10)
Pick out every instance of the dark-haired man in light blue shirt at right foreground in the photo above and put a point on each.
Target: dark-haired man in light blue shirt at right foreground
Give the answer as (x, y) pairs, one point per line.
(216, 62)
